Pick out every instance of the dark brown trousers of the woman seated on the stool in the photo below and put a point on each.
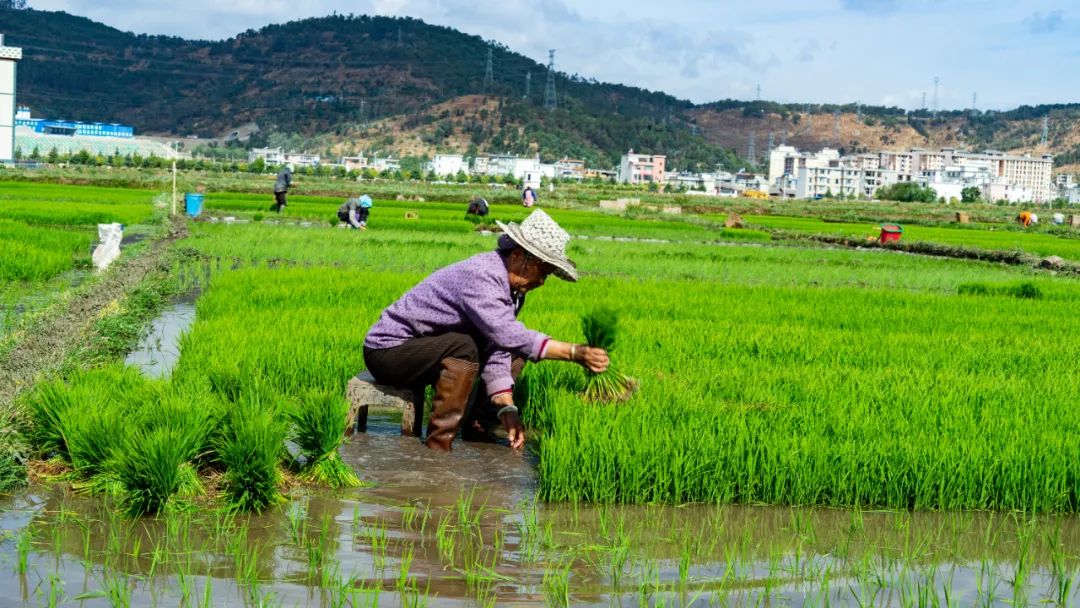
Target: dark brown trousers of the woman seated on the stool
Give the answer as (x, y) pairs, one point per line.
(417, 363)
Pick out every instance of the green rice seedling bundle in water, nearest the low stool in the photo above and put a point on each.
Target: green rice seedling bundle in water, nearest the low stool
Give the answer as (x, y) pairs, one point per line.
(319, 424)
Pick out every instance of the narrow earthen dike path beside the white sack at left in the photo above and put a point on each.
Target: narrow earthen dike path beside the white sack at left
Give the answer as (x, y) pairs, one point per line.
(44, 346)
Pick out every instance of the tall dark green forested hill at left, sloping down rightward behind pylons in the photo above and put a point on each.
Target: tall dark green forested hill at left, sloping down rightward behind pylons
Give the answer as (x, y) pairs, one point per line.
(333, 75)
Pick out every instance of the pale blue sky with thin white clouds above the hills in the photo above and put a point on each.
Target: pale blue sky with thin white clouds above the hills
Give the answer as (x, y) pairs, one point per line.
(880, 52)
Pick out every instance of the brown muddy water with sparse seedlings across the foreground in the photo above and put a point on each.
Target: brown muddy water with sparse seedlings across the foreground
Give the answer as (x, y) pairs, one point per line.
(465, 531)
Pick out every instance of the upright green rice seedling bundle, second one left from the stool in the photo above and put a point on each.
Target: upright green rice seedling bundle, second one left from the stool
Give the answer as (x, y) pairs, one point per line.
(250, 447)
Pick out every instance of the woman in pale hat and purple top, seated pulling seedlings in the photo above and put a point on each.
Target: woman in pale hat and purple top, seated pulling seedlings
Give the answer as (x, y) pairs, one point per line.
(462, 320)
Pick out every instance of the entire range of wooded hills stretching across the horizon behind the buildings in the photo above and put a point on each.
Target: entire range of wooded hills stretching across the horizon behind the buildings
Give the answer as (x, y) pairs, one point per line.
(355, 84)
